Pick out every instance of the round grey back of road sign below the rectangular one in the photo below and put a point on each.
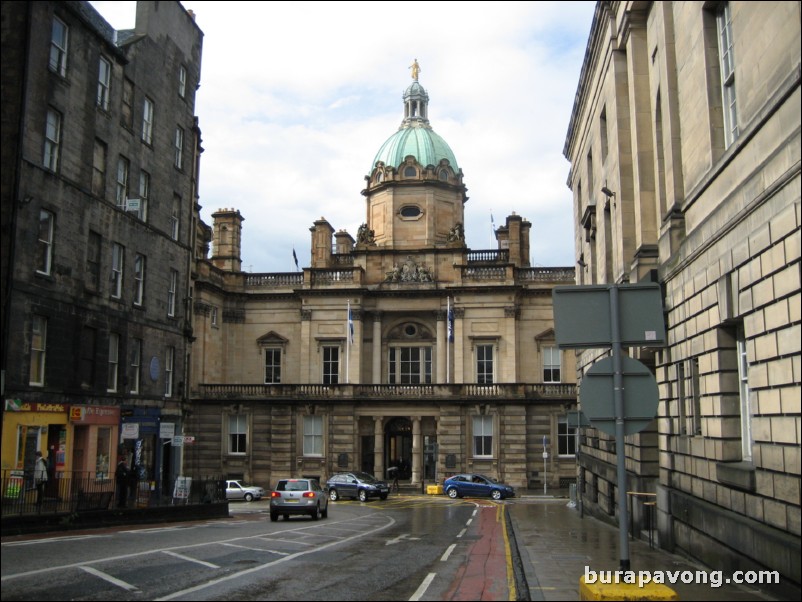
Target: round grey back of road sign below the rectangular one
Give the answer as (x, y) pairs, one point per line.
(596, 394)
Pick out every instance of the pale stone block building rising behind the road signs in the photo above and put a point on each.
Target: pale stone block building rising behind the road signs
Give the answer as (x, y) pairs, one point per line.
(684, 146)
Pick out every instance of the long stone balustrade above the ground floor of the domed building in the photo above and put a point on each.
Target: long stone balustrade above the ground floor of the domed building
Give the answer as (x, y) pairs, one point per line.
(453, 392)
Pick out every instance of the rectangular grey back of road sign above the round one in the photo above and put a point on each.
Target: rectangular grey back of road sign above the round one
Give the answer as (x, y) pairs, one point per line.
(582, 315)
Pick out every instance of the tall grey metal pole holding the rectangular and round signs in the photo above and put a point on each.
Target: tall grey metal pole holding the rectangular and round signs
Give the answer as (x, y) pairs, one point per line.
(620, 452)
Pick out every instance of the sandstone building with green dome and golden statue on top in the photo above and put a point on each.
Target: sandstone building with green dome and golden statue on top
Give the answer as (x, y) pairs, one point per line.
(395, 347)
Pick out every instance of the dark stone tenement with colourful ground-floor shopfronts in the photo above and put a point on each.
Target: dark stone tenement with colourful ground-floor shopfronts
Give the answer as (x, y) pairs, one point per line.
(100, 153)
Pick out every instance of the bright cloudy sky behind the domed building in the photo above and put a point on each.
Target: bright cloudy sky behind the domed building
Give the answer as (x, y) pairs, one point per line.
(297, 97)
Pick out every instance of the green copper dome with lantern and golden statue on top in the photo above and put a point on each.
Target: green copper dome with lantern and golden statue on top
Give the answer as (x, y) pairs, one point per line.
(415, 136)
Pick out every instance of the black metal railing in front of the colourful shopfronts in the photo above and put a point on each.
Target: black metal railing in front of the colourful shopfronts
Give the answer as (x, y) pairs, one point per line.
(77, 491)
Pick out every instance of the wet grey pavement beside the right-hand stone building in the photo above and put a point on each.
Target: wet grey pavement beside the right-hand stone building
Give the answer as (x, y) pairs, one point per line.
(556, 545)
